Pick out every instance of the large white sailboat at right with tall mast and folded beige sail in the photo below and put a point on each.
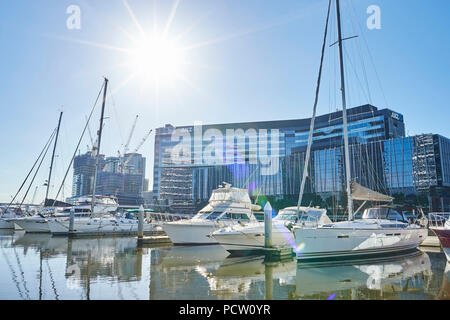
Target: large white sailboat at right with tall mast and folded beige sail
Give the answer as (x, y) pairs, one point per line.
(380, 231)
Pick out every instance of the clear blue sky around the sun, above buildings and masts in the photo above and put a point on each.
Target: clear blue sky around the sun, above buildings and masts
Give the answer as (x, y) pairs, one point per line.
(249, 60)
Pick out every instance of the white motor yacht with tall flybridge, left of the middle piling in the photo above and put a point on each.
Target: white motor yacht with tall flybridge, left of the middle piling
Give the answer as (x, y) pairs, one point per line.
(227, 206)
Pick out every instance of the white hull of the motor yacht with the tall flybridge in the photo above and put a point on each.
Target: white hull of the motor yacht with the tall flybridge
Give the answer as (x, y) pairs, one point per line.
(190, 233)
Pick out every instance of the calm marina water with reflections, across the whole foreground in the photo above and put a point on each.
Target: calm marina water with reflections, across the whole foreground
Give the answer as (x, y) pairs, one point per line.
(44, 267)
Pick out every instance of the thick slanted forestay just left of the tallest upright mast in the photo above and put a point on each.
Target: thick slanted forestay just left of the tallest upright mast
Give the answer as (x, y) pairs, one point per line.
(313, 119)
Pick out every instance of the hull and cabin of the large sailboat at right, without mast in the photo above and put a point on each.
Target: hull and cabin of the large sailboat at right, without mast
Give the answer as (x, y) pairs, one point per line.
(380, 231)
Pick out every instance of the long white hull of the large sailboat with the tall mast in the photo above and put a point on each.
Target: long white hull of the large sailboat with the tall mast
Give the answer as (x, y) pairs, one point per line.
(323, 244)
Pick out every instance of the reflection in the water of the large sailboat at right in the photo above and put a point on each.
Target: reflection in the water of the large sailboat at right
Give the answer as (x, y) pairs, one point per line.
(386, 279)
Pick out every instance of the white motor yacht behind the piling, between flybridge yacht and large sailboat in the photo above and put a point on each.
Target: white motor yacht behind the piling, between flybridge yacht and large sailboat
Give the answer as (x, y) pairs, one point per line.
(249, 239)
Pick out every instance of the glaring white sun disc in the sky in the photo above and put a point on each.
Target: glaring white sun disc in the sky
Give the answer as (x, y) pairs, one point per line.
(156, 58)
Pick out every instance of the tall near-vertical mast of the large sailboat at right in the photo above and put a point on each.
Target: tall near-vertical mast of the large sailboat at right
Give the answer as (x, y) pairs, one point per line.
(344, 115)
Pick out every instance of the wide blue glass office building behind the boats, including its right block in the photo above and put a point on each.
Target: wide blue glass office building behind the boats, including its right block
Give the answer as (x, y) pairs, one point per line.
(268, 157)
